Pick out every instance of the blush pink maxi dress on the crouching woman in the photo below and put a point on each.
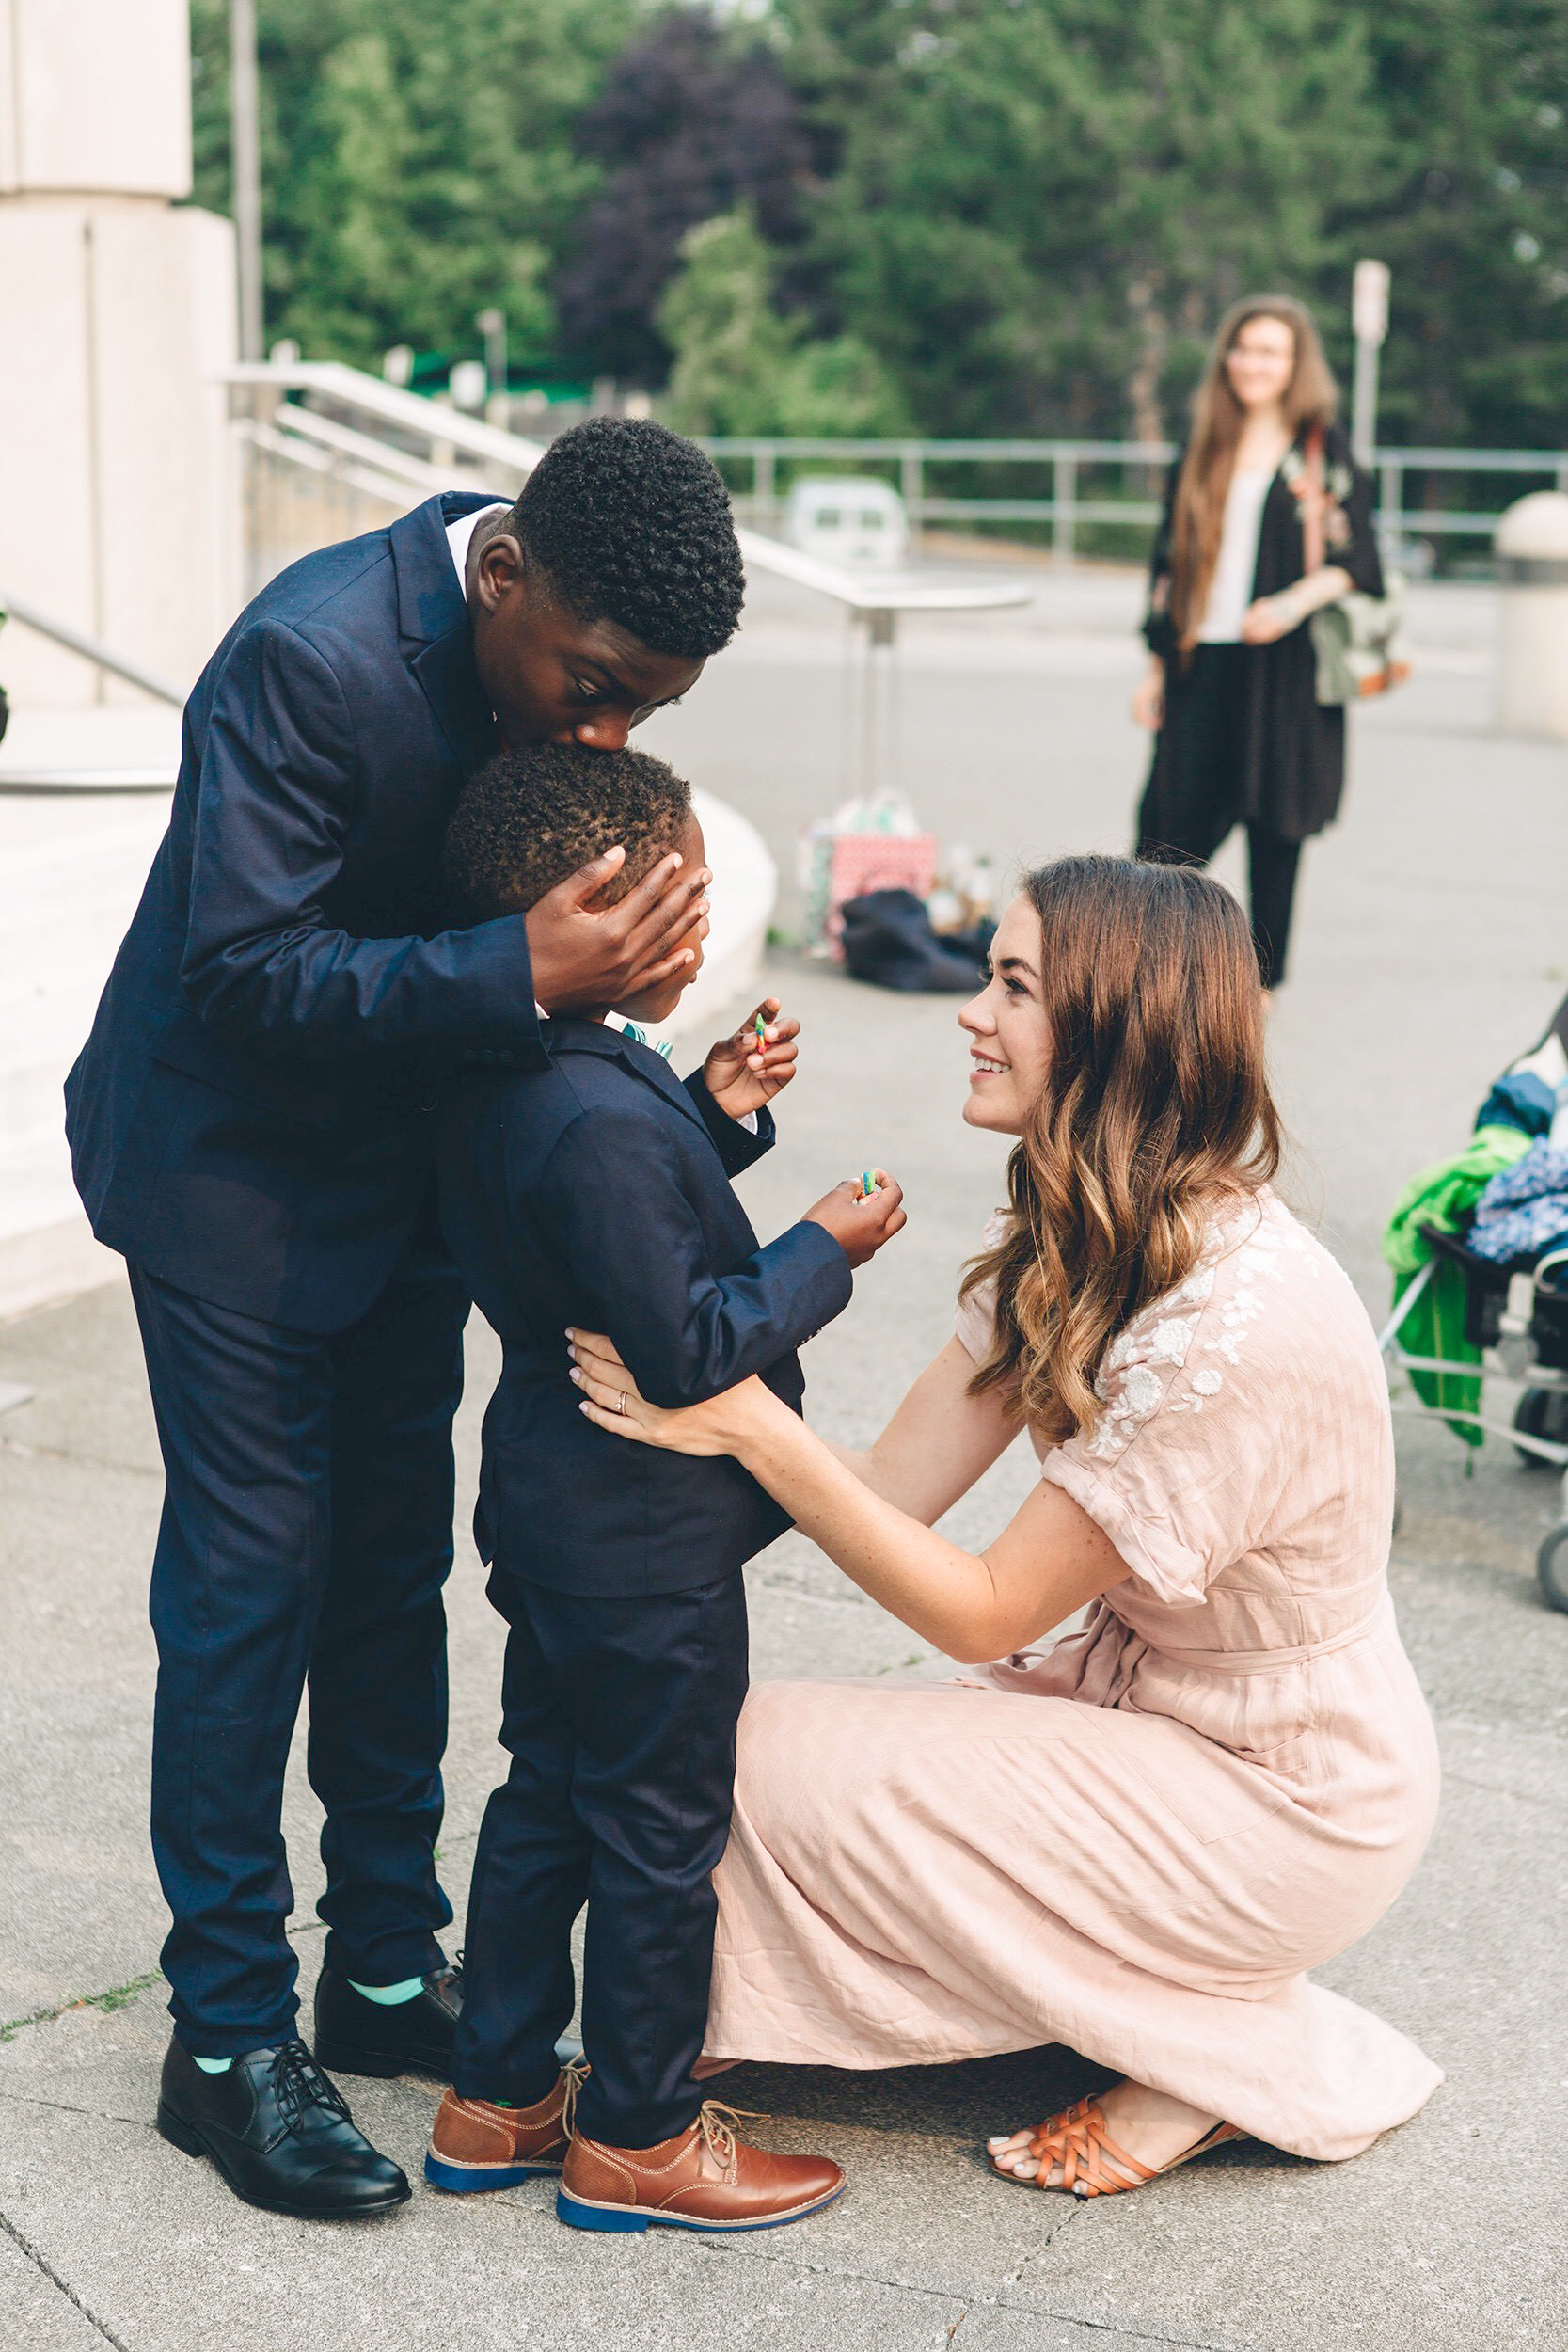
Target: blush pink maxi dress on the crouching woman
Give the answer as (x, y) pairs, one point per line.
(1134, 1840)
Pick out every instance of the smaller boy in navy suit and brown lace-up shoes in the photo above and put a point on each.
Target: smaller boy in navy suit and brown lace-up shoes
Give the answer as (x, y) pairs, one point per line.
(591, 1194)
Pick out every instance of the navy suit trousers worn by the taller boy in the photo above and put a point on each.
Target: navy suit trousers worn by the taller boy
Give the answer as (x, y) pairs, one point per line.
(307, 1537)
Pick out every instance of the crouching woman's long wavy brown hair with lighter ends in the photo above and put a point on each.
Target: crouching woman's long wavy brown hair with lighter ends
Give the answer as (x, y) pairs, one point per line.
(1155, 1107)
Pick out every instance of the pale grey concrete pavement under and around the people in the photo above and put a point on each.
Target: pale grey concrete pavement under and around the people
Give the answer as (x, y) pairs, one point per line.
(1433, 949)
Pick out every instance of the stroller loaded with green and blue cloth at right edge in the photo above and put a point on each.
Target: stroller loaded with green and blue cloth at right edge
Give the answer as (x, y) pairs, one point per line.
(1480, 1252)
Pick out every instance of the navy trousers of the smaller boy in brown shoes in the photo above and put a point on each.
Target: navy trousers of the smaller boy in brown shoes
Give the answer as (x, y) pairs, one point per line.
(622, 1725)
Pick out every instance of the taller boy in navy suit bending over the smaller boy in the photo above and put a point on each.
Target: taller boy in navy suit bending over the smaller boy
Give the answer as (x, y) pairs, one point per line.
(253, 1125)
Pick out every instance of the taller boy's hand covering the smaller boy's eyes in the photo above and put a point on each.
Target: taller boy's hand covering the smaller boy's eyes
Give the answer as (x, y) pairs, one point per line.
(589, 958)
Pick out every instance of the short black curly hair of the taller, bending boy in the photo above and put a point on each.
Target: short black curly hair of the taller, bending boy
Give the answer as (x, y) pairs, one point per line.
(634, 528)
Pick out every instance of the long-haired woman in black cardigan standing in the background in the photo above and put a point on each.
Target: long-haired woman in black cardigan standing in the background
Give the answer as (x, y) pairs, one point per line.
(1240, 737)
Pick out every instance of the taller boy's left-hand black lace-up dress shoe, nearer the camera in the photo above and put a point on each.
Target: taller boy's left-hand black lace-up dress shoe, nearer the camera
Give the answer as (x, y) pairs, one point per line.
(279, 2132)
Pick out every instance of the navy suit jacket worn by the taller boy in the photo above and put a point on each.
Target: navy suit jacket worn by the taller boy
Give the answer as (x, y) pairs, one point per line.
(253, 1116)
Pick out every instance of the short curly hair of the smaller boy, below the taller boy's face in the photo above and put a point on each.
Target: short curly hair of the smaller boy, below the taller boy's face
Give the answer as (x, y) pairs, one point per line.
(532, 817)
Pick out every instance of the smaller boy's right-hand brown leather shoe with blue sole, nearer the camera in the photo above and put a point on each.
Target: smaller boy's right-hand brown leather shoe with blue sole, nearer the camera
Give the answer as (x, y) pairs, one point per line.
(706, 2179)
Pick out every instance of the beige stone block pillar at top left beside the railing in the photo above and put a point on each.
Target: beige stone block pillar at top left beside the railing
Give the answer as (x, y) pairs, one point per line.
(119, 483)
